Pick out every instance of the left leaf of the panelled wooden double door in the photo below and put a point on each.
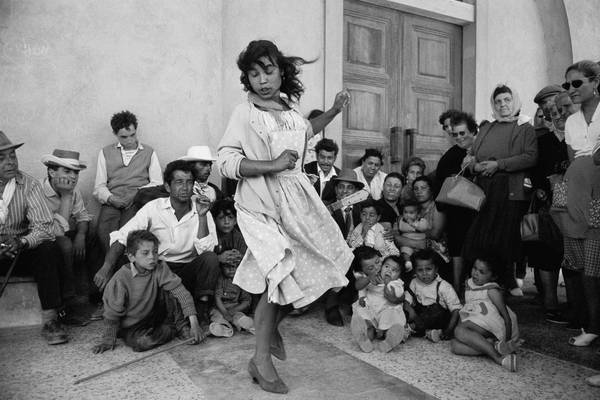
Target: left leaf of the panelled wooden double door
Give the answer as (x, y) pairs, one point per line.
(370, 75)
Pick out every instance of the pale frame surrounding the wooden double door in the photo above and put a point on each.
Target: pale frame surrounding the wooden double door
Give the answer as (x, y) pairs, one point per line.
(455, 12)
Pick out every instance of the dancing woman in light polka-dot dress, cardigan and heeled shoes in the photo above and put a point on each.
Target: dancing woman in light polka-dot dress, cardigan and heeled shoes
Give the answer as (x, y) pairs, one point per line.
(295, 249)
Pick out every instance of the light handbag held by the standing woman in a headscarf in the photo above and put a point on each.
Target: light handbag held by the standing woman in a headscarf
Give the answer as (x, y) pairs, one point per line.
(459, 191)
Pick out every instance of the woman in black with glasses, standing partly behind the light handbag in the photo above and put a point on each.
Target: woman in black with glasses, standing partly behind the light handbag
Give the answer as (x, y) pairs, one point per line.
(462, 130)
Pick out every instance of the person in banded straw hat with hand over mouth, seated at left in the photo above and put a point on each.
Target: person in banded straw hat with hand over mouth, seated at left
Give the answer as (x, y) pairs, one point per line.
(71, 219)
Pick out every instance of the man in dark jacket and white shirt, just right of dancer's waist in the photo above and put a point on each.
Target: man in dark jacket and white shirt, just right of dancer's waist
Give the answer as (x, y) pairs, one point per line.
(323, 169)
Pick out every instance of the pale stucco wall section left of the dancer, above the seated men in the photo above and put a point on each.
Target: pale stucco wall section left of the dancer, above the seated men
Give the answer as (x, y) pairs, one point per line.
(67, 66)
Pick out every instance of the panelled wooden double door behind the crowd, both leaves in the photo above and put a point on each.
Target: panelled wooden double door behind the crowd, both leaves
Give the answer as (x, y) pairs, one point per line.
(402, 71)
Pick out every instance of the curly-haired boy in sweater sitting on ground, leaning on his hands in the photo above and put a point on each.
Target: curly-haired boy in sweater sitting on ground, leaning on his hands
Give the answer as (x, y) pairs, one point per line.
(140, 300)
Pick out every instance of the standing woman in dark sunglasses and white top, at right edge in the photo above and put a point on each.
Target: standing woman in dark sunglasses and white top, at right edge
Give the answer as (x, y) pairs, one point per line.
(582, 242)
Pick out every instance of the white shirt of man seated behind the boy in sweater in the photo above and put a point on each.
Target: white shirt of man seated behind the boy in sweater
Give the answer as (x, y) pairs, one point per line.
(178, 241)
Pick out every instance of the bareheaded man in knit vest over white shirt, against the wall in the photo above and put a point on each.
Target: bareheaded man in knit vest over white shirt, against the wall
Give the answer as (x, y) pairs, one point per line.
(122, 169)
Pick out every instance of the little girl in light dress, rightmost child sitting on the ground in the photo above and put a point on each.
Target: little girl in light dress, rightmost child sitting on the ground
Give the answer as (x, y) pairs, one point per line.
(487, 326)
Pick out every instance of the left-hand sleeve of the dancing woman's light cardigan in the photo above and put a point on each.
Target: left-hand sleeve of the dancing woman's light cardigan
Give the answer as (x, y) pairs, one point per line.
(229, 151)
